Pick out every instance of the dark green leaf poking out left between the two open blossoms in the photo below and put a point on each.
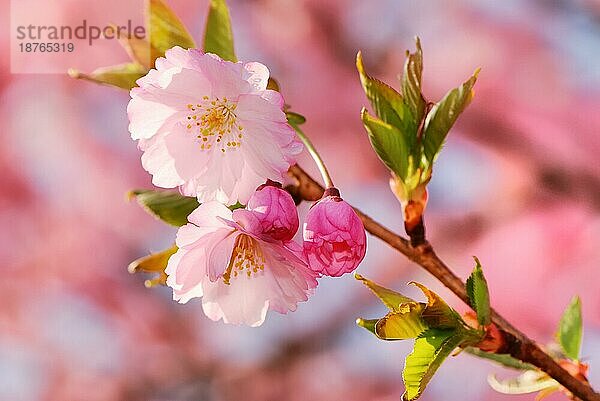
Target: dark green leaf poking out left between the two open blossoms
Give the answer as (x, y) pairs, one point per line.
(168, 206)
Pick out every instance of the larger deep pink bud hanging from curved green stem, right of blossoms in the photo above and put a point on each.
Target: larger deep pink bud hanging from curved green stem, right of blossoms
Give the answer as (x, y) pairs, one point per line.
(334, 237)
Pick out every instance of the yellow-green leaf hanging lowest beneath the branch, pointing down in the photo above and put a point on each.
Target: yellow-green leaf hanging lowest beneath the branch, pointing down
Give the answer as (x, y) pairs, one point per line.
(430, 350)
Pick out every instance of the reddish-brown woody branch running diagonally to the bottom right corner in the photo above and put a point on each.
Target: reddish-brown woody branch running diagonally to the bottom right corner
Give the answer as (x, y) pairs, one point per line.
(518, 344)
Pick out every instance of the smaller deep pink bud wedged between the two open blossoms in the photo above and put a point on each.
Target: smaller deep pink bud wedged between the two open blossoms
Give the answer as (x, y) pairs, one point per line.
(276, 211)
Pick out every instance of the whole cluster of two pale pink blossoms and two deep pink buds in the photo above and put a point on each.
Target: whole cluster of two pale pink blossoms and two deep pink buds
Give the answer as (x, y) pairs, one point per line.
(212, 129)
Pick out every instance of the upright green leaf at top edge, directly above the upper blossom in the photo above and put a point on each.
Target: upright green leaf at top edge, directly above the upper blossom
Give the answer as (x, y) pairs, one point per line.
(218, 37)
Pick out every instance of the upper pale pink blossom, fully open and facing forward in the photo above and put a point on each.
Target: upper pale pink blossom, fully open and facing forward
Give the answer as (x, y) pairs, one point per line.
(210, 127)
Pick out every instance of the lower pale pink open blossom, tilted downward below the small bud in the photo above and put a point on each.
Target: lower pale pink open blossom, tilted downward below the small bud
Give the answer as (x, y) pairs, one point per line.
(238, 268)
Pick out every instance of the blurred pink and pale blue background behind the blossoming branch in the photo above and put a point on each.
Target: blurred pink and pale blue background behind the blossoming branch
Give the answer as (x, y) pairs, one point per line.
(518, 185)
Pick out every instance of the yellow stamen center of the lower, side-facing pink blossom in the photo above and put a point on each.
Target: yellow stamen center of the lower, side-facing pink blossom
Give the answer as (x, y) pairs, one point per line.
(246, 257)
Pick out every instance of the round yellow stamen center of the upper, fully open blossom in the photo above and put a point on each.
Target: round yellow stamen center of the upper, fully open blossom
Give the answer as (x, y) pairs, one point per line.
(215, 124)
